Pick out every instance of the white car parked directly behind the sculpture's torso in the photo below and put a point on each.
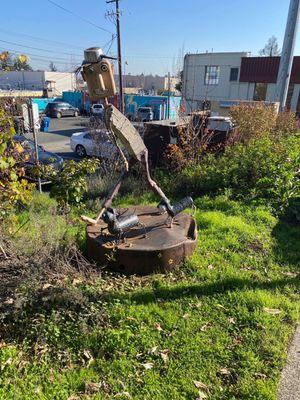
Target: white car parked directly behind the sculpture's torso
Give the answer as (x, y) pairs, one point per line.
(94, 143)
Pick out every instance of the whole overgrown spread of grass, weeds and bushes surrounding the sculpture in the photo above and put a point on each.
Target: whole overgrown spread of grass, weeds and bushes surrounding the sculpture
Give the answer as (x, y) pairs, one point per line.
(215, 328)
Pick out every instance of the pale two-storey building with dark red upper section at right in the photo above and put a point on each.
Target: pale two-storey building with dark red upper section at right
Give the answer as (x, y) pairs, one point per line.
(226, 78)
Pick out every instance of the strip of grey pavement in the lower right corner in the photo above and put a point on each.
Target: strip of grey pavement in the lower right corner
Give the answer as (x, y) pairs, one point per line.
(289, 387)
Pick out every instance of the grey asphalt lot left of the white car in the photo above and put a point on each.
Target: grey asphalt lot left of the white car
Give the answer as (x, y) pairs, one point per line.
(57, 139)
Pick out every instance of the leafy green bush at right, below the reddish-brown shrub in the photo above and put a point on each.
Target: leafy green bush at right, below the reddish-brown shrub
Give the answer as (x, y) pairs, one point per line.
(263, 169)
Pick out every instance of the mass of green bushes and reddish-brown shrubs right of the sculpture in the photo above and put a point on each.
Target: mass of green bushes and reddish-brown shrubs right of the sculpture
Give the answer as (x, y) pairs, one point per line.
(260, 160)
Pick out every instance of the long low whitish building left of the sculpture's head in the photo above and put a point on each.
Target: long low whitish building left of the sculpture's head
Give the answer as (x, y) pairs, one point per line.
(55, 82)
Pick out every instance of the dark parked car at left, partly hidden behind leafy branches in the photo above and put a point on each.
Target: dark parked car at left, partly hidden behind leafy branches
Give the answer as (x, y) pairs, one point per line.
(45, 157)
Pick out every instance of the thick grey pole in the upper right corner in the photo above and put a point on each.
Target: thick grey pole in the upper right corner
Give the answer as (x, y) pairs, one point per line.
(286, 60)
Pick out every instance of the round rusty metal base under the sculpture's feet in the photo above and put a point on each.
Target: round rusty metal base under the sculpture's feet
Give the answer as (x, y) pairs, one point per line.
(151, 247)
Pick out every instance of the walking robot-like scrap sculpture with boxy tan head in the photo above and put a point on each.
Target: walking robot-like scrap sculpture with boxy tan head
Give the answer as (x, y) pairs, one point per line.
(97, 71)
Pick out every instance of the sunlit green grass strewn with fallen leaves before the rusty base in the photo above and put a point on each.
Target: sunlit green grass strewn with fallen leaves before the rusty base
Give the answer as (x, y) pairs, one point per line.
(224, 319)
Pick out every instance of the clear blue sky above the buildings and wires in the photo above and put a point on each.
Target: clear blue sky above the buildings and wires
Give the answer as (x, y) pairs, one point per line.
(153, 32)
